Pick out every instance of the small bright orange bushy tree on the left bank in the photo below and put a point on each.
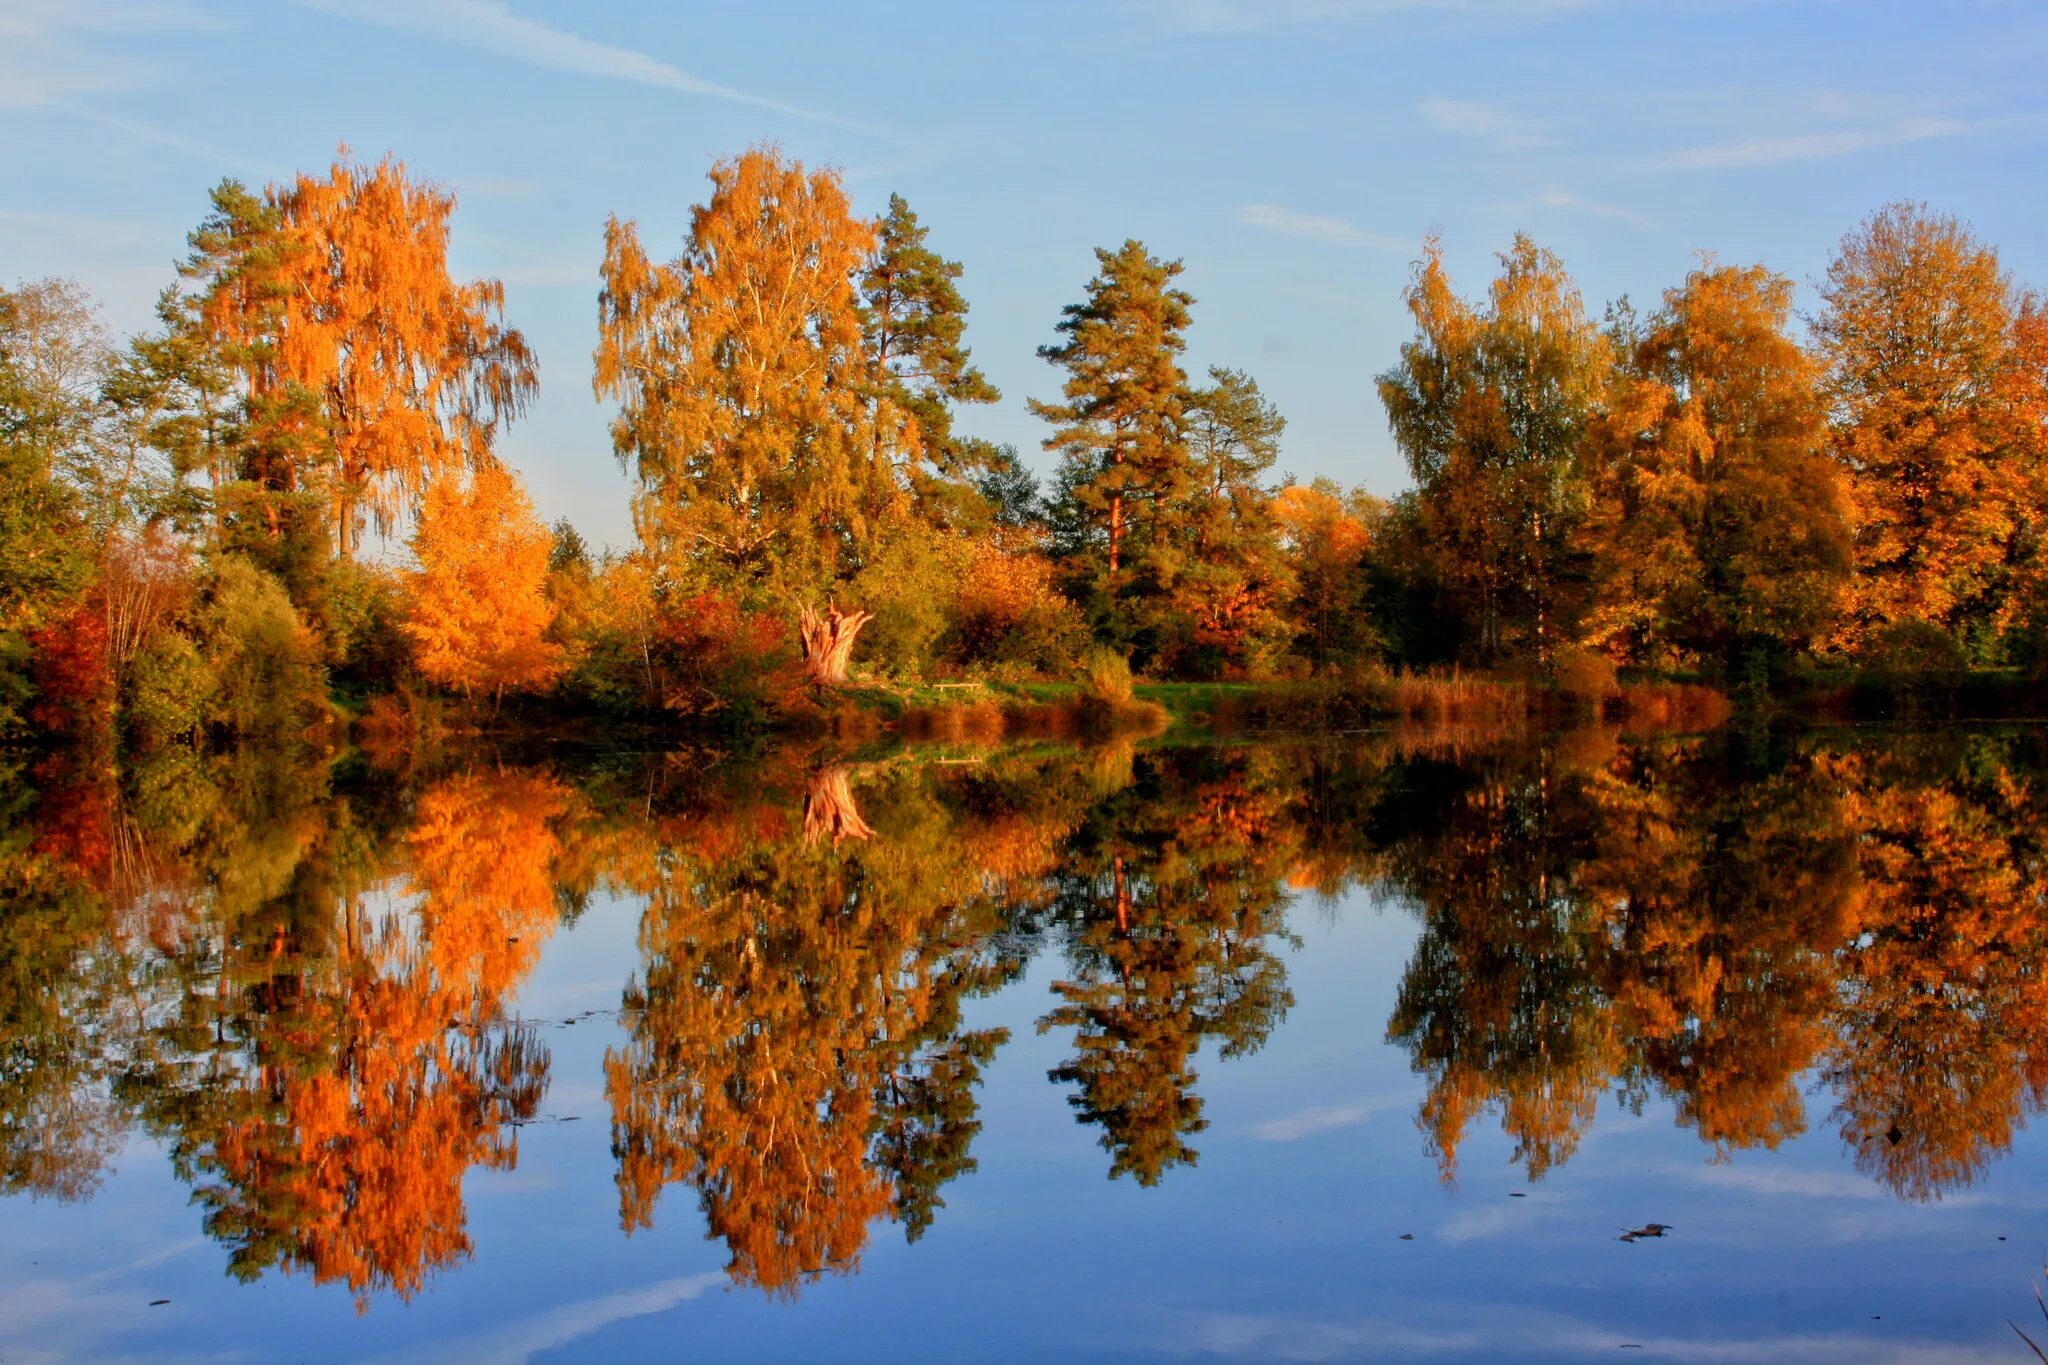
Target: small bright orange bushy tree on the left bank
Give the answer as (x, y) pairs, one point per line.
(480, 615)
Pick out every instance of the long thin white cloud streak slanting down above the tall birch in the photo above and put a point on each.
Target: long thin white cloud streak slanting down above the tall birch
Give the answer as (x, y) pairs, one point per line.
(488, 26)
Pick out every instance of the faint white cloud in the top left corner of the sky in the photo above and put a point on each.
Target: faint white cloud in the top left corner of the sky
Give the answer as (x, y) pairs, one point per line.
(50, 50)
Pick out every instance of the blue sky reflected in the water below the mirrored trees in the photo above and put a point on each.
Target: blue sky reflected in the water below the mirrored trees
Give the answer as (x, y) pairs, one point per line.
(1283, 1243)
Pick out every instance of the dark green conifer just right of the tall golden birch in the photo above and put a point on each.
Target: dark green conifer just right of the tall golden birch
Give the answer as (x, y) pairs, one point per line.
(916, 322)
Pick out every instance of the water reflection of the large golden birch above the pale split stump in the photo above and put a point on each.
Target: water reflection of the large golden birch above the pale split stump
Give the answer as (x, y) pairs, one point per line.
(794, 1041)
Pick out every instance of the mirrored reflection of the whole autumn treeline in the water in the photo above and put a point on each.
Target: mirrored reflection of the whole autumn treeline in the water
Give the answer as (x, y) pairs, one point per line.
(300, 975)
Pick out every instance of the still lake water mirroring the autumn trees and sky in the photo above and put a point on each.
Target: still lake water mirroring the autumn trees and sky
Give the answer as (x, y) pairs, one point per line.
(1226, 1053)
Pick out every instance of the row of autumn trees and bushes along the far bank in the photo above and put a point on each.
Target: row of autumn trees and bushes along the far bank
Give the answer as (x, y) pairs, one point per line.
(1711, 488)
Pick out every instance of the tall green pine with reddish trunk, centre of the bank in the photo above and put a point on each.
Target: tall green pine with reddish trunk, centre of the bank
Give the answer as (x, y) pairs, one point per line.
(1119, 431)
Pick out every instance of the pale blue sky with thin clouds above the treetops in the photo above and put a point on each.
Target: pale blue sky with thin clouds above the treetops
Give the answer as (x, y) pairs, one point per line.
(1293, 152)
